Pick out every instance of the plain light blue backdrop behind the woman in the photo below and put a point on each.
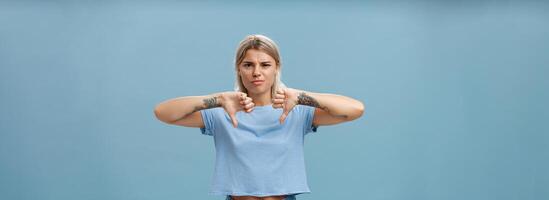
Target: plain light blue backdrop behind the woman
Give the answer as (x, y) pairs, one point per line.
(456, 95)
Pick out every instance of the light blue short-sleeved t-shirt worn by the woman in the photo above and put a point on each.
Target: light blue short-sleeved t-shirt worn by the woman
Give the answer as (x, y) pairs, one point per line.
(261, 157)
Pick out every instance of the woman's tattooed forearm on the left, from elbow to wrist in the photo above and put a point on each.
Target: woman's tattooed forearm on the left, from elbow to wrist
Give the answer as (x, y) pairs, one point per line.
(174, 109)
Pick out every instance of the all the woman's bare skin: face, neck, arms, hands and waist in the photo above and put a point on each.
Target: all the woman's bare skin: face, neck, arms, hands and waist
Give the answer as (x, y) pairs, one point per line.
(257, 65)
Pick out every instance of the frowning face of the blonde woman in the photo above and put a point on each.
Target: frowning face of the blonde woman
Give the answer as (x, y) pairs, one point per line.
(257, 66)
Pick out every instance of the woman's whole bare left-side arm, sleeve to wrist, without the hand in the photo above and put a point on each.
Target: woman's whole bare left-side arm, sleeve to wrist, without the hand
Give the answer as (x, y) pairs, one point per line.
(183, 110)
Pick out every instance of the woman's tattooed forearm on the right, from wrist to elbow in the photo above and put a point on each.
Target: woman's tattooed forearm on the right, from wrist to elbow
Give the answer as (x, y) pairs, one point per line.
(336, 105)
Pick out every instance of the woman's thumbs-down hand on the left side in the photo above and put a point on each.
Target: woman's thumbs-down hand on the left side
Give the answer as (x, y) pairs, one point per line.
(233, 102)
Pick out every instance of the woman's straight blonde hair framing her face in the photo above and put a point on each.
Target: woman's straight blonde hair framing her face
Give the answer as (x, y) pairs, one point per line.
(262, 43)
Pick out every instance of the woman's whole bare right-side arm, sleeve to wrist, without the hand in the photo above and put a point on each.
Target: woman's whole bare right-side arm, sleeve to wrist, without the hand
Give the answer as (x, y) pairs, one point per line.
(331, 108)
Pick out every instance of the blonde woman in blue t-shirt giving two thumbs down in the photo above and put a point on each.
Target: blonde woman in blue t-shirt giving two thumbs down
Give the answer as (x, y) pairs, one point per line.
(259, 128)
